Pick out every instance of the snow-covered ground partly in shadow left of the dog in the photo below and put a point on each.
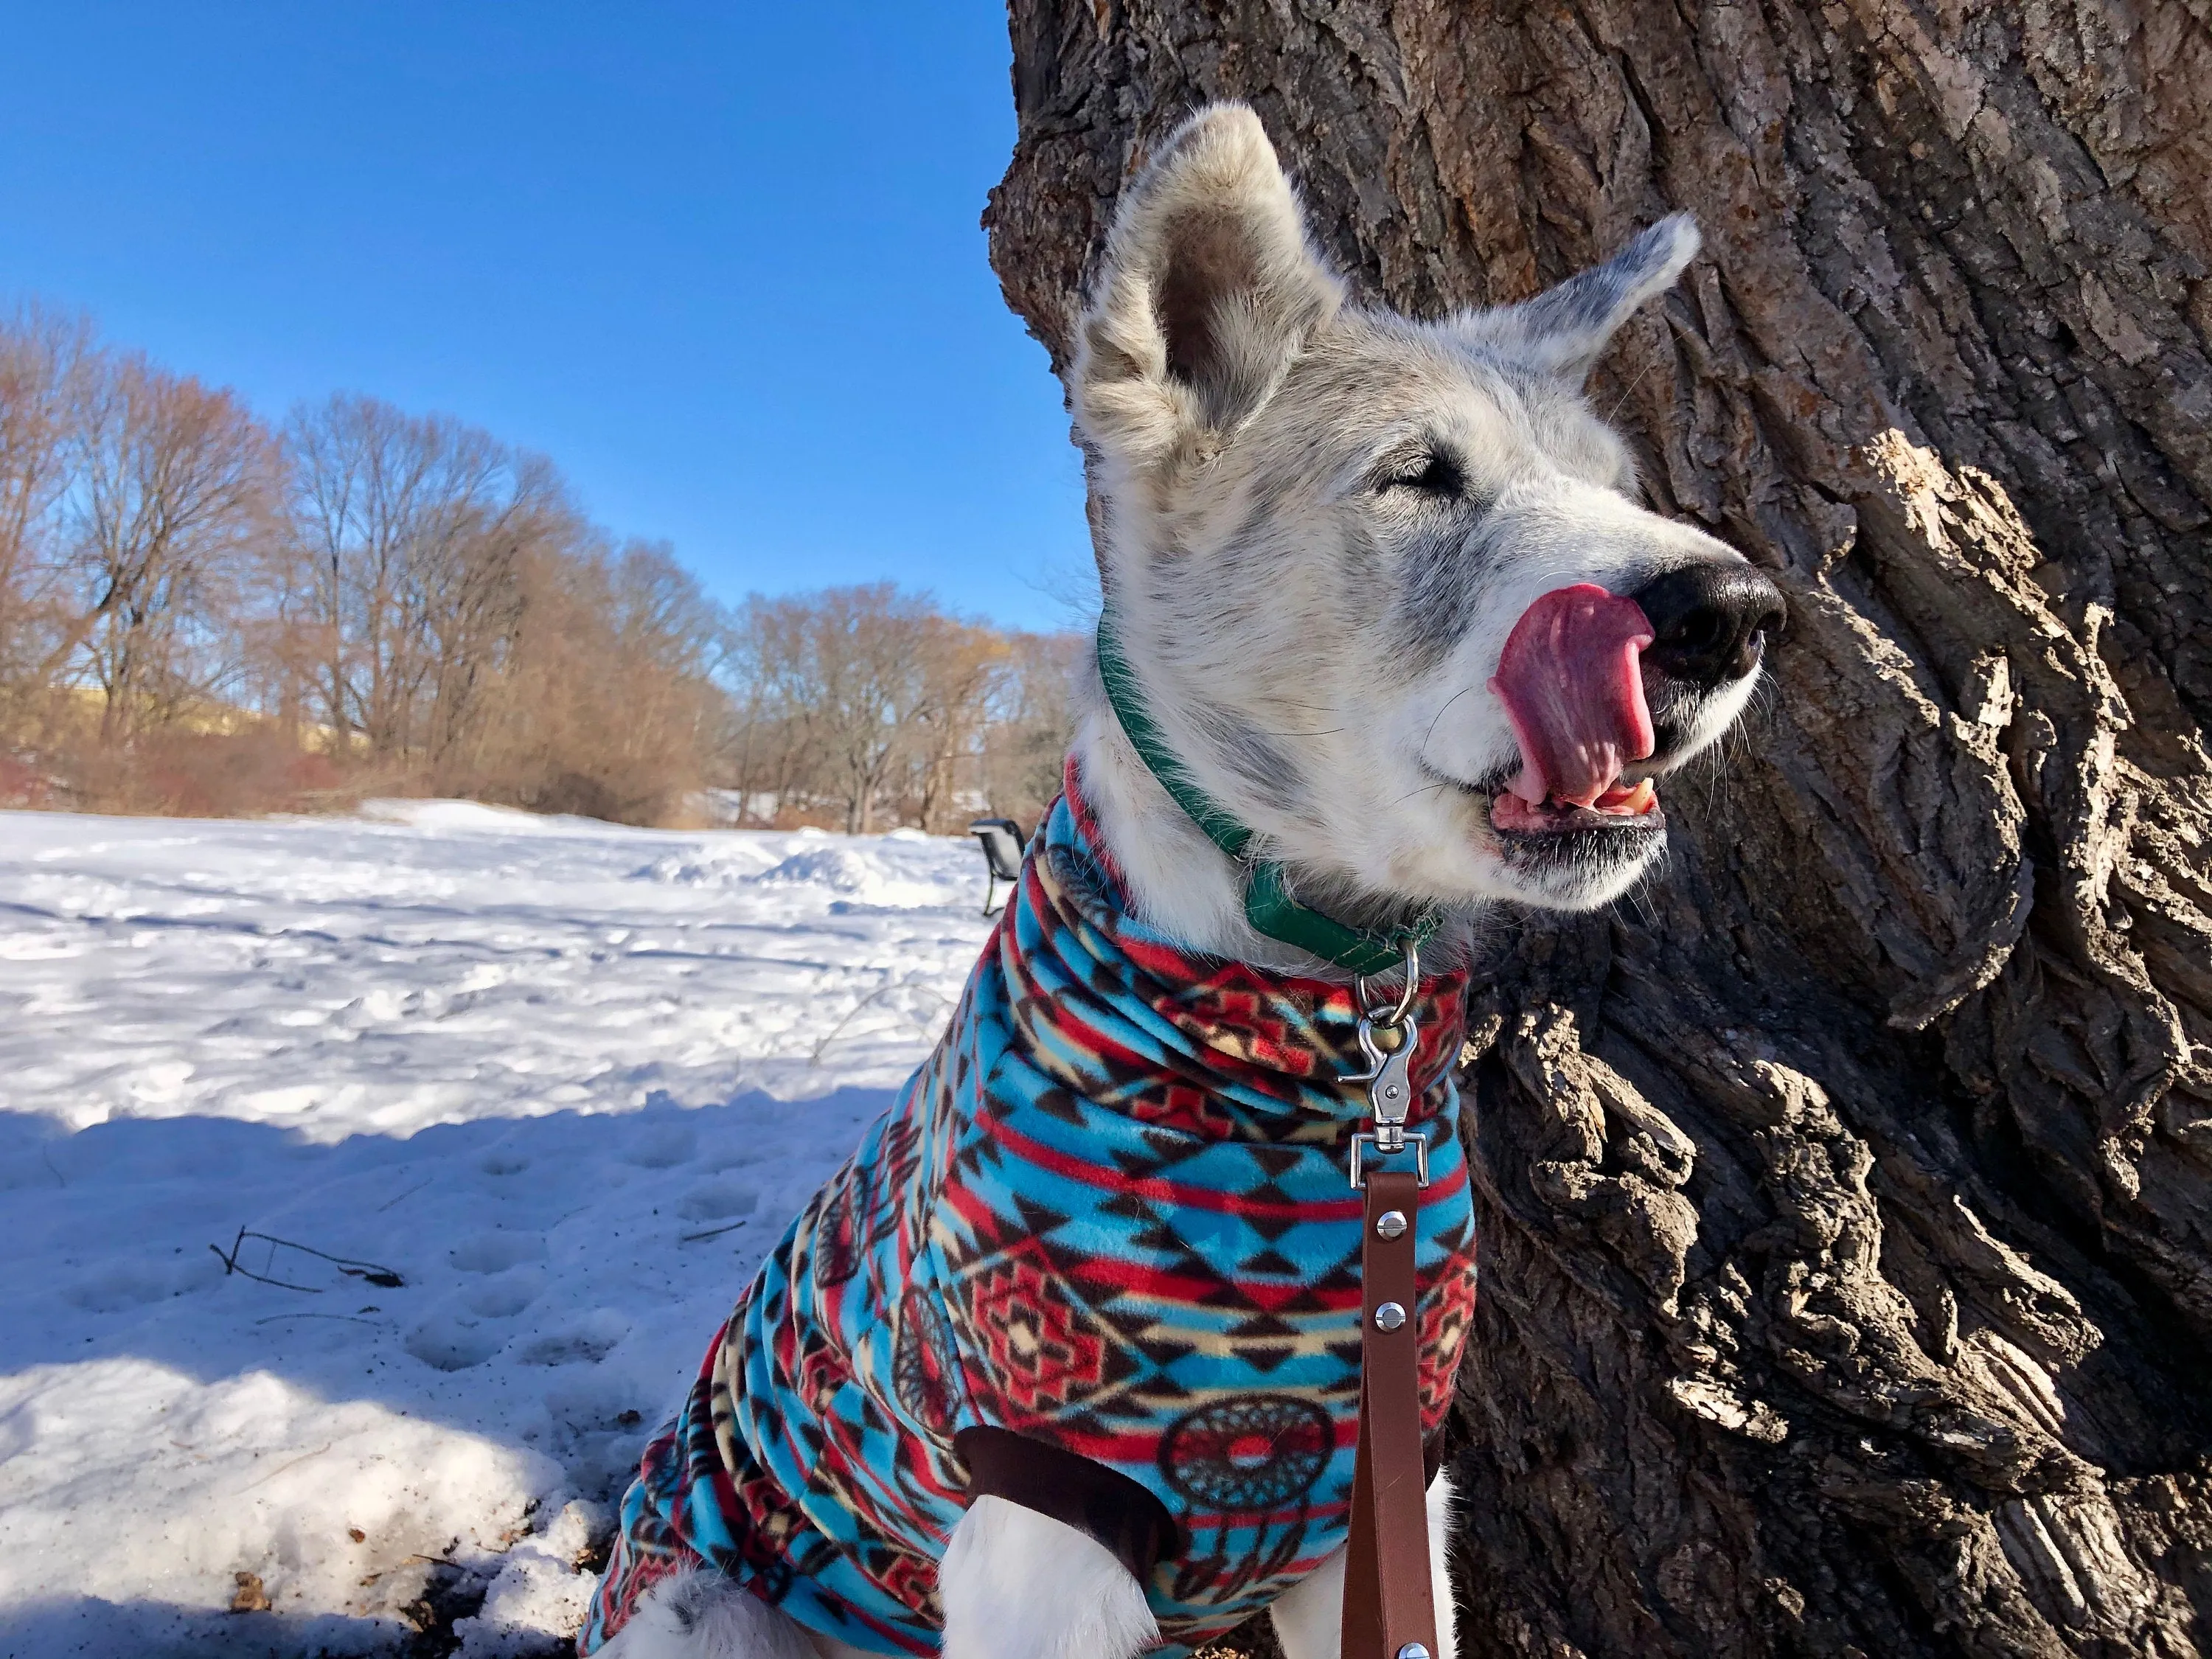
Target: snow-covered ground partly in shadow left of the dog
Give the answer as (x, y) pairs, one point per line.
(547, 1087)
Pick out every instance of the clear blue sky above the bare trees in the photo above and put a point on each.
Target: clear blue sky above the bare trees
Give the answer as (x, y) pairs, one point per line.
(720, 262)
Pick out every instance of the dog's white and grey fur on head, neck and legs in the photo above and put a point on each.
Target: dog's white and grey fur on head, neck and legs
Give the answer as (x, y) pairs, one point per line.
(1319, 528)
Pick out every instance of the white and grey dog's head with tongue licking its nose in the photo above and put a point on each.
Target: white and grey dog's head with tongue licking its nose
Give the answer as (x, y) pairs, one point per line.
(1384, 583)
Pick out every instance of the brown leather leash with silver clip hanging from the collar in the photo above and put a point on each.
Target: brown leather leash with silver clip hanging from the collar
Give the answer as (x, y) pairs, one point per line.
(1390, 1607)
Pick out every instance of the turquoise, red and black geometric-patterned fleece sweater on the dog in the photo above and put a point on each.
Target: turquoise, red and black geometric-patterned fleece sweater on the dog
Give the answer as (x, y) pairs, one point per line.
(1112, 1218)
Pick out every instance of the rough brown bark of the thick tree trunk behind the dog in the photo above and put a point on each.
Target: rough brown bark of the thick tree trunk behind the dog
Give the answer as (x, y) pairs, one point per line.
(1848, 1253)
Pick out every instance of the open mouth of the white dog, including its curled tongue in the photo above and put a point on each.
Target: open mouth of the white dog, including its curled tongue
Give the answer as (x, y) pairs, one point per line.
(1572, 682)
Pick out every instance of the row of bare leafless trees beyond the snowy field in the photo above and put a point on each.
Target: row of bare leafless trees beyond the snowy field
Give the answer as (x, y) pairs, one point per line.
(209, 614)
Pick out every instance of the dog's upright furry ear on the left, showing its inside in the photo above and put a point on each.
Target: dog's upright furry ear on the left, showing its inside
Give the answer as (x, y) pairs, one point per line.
(1207, 293)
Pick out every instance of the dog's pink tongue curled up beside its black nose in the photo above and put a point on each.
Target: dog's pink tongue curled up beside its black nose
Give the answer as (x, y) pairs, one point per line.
(1574, 691)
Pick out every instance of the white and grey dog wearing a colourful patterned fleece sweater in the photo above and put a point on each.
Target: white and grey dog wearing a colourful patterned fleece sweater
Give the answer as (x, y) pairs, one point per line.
(1063, 1364)
